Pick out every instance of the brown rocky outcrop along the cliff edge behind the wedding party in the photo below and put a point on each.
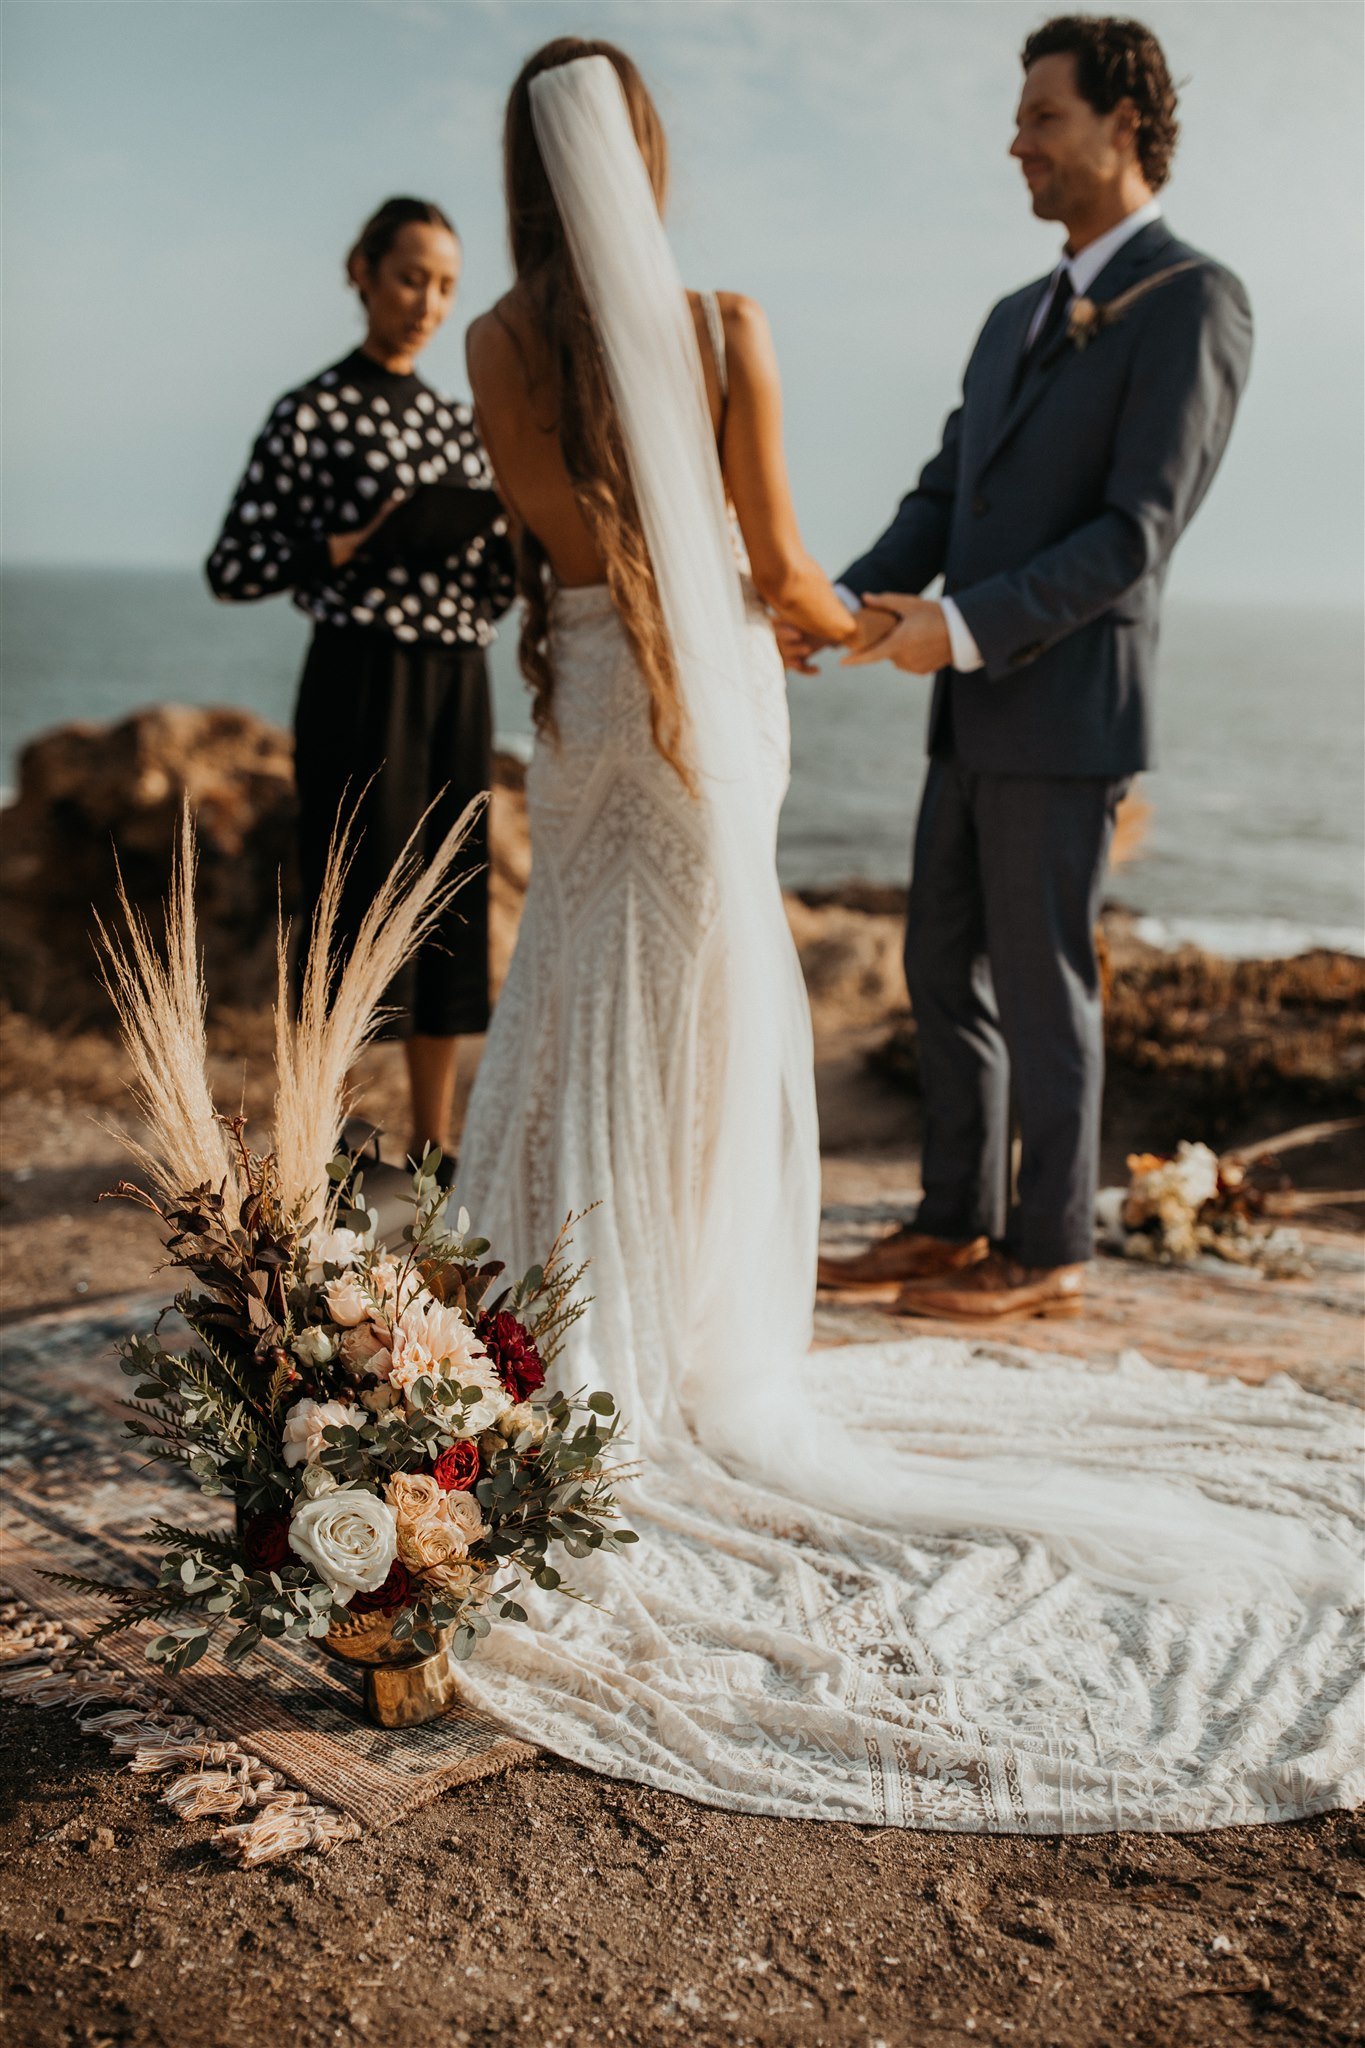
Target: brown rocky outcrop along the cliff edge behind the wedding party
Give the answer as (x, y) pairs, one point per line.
(1198, 1033)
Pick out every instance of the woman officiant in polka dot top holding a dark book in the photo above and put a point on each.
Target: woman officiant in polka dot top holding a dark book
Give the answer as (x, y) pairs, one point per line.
(371, 503)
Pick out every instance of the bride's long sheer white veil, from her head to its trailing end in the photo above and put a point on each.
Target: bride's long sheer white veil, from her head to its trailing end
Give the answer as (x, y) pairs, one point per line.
(754, 1394)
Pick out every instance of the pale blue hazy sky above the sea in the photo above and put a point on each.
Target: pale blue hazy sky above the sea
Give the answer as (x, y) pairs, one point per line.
(183, 181)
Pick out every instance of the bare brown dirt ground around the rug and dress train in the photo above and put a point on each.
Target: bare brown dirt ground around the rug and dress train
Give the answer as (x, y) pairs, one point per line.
(552, 1908)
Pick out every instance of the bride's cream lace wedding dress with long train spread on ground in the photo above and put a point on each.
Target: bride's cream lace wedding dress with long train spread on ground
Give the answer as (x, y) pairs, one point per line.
(781, 1639)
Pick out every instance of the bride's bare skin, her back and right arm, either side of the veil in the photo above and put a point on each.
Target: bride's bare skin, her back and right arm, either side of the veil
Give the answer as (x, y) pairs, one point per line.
(517, 400)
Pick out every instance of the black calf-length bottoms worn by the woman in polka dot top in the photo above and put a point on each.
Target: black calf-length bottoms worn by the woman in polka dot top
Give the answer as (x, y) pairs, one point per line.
(382, 732)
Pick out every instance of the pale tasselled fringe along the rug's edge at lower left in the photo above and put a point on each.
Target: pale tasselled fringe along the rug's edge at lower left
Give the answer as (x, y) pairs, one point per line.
(42, 1666)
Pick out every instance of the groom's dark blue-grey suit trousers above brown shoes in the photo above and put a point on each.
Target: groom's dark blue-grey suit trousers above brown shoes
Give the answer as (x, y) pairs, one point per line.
(1000, 957)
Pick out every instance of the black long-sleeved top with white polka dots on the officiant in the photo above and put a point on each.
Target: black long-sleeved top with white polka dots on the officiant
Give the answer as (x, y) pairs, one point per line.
(326, 462)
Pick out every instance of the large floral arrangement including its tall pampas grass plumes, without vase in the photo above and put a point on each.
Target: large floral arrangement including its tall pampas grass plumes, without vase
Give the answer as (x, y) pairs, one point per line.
(378, 1416)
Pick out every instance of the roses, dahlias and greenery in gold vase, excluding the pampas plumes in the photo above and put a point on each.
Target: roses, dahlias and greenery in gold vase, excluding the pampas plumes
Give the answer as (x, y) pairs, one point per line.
(378, 1416)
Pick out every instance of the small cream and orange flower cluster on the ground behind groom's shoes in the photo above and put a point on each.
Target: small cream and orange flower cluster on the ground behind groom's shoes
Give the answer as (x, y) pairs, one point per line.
(1190, 1205)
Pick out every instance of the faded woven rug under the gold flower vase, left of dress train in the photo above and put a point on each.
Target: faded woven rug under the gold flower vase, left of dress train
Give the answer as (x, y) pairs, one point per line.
(79, 1496)
